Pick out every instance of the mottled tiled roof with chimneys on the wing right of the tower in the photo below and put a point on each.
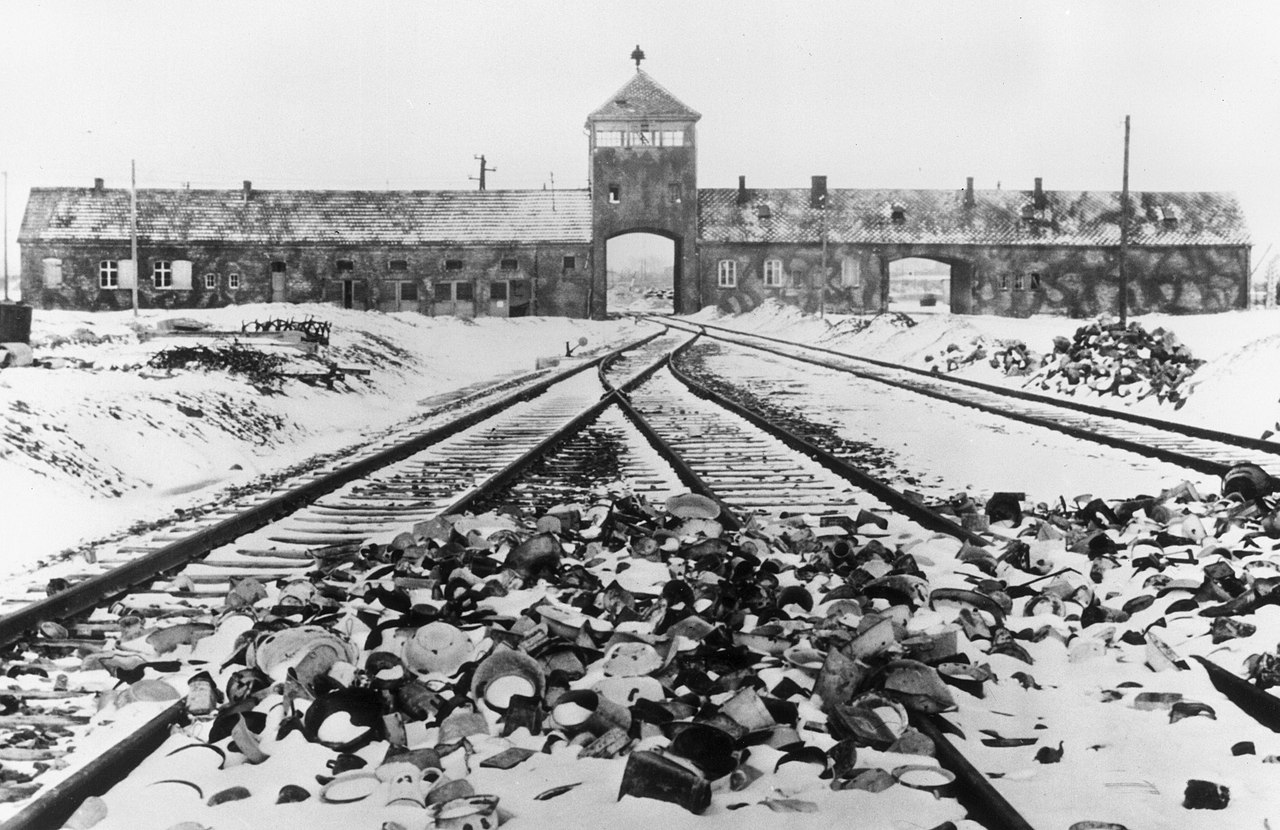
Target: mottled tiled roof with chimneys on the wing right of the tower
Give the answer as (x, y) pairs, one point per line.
(934, 217)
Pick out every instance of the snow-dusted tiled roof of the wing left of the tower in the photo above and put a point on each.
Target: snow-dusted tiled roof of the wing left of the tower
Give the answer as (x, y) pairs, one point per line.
(72, 215)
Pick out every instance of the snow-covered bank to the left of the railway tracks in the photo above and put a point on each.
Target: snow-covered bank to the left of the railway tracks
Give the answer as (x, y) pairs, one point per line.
(103, 440)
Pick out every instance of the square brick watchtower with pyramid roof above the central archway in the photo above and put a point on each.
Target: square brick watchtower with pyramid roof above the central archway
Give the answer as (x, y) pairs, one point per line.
(644, 179)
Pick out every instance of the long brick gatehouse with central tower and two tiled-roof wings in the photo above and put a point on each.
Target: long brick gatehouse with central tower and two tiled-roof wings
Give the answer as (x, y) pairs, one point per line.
(514, 253)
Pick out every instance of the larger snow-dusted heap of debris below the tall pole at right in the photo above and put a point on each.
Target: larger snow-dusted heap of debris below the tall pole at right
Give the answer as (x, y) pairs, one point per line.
(1124, 362)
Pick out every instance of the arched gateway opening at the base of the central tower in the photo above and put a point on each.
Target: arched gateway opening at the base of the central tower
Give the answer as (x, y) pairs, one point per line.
(641, 272)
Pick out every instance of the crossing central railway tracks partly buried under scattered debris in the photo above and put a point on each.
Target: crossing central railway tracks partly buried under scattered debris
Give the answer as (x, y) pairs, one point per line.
(639, 422)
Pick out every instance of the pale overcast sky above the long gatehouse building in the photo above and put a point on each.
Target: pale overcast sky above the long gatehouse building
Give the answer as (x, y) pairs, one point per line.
(403, 95)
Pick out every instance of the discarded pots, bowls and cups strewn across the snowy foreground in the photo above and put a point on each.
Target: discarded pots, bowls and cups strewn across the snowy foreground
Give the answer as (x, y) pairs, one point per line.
(621, 651)
